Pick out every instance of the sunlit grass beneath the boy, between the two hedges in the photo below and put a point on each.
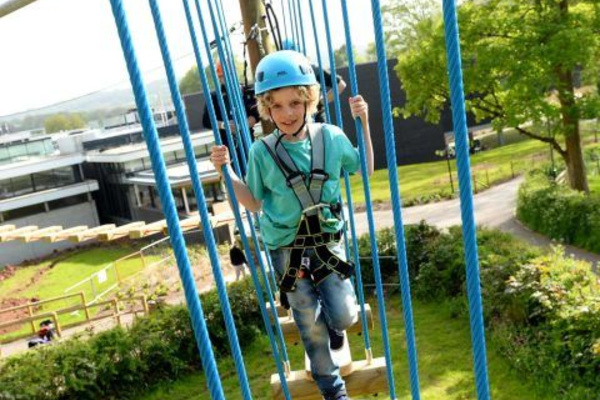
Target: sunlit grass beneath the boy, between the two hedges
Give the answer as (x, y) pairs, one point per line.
(445, 363)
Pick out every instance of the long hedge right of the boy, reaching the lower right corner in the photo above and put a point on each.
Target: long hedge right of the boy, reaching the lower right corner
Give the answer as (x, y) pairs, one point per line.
(542, 310)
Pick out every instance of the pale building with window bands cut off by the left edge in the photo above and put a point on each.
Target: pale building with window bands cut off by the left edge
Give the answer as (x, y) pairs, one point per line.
(41, 186)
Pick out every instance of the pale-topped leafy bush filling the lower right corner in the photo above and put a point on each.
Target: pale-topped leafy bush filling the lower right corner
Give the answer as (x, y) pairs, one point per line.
(558, 340)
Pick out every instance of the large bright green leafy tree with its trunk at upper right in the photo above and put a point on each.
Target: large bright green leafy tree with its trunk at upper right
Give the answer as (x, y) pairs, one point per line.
(519, 63)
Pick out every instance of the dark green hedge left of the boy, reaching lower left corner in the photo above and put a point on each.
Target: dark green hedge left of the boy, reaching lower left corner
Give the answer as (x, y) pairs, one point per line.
(122, 364)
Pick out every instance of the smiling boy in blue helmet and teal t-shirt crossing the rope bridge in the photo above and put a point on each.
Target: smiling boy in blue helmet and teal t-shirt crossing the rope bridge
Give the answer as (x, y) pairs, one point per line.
(294, 177)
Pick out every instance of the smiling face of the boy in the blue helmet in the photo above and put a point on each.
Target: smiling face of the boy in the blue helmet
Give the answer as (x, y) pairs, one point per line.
(288, 109)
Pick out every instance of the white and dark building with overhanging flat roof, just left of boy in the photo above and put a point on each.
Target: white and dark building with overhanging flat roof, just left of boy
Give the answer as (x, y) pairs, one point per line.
(120, 162)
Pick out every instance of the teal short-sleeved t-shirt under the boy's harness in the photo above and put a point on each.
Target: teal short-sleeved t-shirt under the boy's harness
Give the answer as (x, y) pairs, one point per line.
(281, 209)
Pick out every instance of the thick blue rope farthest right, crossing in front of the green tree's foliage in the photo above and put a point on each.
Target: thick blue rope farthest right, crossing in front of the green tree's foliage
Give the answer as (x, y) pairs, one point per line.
(466, 198)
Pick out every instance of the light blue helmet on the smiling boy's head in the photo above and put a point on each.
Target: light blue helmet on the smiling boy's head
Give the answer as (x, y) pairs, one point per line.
(282, 69)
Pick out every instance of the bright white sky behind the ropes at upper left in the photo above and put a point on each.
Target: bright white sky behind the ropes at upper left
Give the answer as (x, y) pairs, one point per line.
(55, 50)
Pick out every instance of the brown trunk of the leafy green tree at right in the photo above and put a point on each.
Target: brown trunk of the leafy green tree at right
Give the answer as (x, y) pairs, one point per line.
(570, 122)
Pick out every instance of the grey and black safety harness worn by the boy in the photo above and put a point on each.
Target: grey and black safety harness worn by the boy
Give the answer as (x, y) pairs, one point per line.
(308, 191)
